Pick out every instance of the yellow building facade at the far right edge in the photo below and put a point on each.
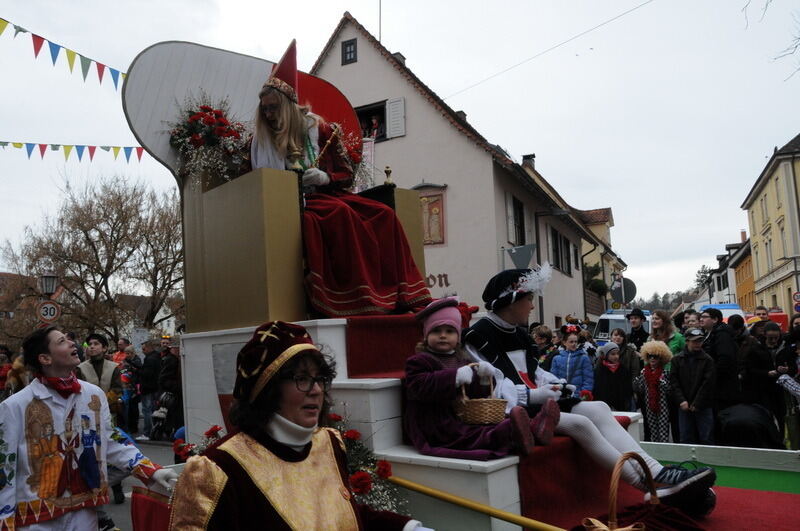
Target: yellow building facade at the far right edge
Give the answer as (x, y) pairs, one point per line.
(773, 211)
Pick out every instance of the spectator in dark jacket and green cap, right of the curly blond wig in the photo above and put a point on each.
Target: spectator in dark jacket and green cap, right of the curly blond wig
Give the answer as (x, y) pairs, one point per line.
(692, 389)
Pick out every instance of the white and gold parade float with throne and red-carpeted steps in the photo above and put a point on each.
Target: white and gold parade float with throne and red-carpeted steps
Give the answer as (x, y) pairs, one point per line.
(244, 264)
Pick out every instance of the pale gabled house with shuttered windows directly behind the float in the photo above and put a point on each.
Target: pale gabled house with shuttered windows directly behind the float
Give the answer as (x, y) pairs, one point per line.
(477, 204)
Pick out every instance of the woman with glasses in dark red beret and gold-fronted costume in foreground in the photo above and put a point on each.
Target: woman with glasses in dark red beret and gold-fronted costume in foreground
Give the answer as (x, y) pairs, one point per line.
(279, 469)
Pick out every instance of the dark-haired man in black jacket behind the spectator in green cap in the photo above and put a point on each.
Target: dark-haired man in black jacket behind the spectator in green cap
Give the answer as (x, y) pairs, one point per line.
(719, 344)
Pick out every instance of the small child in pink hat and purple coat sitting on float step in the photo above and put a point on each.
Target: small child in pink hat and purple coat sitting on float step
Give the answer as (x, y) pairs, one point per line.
(435, 375)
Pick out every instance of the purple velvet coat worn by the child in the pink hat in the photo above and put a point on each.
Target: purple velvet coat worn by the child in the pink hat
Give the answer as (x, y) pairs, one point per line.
(430, 420)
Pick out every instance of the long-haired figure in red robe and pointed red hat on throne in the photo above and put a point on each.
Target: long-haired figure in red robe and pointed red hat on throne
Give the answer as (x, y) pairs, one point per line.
(357, 254)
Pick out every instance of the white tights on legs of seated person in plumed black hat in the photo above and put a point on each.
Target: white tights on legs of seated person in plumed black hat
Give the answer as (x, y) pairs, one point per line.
(594, 428)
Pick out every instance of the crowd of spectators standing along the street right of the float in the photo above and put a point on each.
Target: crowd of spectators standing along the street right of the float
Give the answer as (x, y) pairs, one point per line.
(695, 378)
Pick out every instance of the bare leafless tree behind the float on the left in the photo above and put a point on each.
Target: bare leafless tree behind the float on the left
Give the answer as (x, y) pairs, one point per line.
(108, 238)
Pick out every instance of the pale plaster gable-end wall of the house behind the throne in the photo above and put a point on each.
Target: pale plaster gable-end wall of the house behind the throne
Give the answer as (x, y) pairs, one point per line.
(435, 152)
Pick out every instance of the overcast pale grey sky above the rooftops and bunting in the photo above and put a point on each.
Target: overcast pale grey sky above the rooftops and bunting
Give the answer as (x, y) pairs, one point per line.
(667, 114)
